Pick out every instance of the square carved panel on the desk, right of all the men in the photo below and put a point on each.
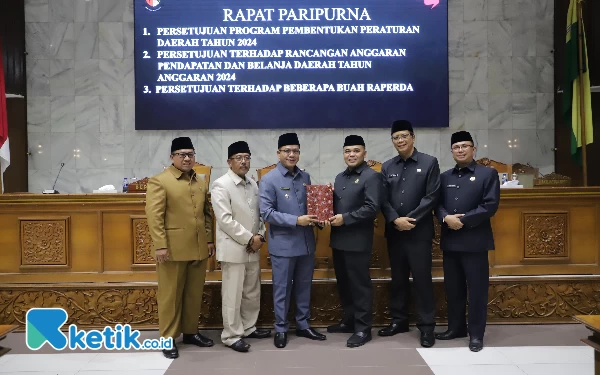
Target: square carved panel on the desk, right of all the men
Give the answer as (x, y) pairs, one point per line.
(545, 235)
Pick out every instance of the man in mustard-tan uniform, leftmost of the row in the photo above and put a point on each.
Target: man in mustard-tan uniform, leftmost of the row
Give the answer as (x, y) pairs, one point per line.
(181, 227)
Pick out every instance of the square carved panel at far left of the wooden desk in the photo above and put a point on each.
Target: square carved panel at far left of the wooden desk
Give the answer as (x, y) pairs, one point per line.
(44, 242)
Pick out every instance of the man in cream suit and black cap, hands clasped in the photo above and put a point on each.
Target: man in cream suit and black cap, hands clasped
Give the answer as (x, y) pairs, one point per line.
(240, 235)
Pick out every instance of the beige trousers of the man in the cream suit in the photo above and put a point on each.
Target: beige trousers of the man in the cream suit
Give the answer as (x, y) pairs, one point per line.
(240, 292)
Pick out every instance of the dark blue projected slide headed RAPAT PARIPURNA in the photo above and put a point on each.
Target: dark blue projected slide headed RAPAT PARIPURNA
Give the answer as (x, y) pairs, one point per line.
(268, 64)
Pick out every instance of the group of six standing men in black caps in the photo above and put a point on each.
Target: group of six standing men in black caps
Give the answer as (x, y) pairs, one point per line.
(409, 191)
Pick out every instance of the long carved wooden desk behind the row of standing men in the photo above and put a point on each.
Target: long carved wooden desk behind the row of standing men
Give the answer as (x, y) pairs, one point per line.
(90, 254)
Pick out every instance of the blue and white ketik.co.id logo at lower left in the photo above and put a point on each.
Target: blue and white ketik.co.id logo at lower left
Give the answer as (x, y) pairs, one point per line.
(43, 325)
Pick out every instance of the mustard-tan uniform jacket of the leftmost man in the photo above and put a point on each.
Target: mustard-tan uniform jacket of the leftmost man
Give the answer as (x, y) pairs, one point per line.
(179, 215)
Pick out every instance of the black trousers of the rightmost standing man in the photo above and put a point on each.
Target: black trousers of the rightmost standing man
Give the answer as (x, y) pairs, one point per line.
(467, 271)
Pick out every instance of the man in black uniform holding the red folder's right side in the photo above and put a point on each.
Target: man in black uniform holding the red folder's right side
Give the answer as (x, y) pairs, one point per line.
(357, 198)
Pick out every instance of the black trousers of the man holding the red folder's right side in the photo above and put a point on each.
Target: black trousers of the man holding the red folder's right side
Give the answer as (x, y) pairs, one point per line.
(354, 287)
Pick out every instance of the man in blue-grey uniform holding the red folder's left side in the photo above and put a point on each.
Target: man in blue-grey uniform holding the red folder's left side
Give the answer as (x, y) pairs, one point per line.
(291, 239)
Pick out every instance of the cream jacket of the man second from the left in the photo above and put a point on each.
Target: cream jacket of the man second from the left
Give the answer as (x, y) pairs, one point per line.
(235, 203)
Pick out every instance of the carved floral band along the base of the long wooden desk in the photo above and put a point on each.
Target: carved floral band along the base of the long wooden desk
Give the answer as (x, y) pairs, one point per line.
(516, 302)
